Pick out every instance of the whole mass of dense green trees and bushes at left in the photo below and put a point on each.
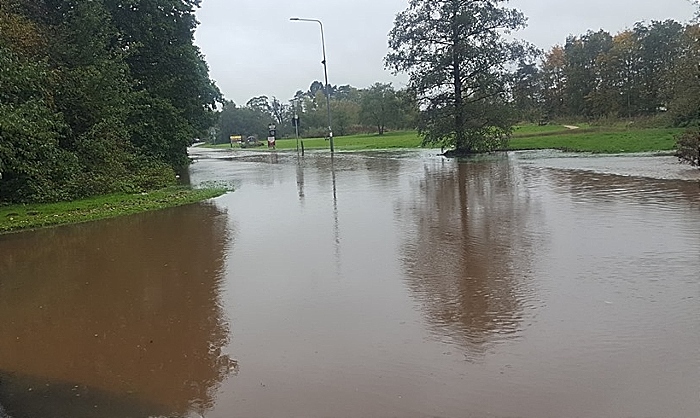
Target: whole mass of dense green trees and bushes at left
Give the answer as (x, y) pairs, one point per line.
(98, 96)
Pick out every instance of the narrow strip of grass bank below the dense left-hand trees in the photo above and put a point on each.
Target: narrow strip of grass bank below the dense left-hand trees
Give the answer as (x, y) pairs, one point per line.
(23, 217)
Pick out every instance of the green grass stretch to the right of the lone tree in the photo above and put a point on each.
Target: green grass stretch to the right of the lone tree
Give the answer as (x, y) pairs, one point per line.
(609, 141)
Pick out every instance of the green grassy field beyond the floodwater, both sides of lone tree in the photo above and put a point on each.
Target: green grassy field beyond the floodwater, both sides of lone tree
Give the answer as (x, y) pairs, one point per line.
(525, 137)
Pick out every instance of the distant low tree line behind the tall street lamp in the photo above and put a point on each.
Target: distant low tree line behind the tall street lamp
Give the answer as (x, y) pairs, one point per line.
(377, 109)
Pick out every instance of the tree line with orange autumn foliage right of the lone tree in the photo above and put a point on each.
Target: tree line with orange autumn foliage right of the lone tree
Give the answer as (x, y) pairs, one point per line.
(651, 70)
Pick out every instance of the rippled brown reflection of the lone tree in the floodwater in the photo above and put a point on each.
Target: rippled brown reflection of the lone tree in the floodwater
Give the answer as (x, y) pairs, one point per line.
(468, 251)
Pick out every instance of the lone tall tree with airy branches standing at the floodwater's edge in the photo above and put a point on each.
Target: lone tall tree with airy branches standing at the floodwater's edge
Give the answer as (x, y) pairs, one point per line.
(460, 65)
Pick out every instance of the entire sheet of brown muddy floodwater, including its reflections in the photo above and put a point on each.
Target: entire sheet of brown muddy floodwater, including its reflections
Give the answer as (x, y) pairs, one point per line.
(398, 284)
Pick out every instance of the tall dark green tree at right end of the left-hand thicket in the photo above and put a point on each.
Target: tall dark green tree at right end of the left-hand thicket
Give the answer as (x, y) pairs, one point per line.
(175, 94)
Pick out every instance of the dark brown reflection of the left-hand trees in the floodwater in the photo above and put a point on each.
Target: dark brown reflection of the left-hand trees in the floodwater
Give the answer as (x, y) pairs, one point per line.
(116, 318)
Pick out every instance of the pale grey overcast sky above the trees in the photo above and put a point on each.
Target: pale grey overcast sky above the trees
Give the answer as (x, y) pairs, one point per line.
(253, 49)
